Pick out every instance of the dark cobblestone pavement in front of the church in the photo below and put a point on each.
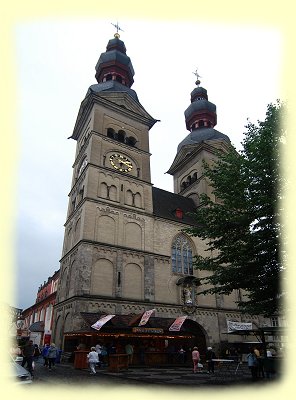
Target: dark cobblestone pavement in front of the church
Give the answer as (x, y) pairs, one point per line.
(145, 376)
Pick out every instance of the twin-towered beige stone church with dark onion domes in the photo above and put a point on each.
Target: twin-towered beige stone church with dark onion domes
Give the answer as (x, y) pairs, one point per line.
(124, 250)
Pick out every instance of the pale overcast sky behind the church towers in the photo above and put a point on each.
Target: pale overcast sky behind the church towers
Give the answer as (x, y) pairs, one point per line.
(240, 66)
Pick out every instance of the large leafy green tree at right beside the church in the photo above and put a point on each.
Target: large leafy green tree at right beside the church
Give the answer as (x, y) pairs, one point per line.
(242, 227)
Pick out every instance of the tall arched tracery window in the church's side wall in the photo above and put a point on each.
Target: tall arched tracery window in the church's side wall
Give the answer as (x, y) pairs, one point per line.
(182, 256)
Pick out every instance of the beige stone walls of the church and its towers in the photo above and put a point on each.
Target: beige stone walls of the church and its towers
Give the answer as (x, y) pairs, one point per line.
(117, 252)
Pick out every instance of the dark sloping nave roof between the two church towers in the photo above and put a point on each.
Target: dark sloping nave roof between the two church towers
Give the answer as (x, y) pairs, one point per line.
(166, 203)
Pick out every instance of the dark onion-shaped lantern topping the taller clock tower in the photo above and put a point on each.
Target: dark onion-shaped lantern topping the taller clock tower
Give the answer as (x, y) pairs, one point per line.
(114, 64)
